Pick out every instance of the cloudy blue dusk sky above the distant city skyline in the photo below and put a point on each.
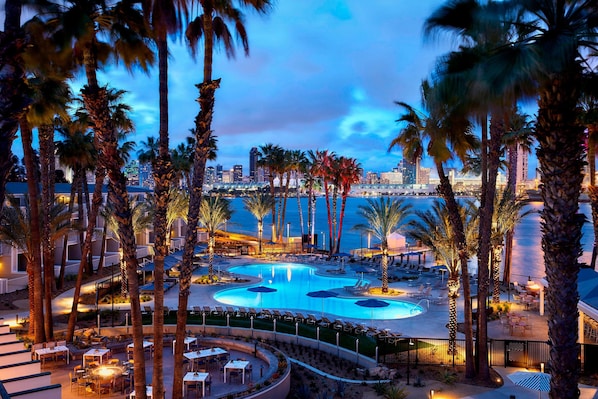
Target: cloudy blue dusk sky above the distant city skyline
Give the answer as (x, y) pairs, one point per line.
(321, 74)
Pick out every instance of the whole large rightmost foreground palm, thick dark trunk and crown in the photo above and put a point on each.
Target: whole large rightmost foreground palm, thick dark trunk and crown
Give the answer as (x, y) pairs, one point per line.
(551, 53)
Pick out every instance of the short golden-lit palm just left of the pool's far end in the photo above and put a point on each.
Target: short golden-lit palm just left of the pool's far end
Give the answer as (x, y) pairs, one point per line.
(214, 212)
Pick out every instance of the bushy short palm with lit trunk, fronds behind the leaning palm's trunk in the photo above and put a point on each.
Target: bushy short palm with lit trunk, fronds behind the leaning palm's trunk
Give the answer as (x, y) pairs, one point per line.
(433, 228)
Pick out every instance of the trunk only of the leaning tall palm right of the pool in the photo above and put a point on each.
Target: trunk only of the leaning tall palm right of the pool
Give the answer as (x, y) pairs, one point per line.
(447, 193)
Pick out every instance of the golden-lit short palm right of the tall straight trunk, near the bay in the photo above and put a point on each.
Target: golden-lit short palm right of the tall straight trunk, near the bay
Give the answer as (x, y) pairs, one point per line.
(508, 212)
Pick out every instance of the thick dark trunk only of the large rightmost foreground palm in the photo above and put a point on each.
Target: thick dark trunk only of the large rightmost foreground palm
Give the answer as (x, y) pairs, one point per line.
(560, 156)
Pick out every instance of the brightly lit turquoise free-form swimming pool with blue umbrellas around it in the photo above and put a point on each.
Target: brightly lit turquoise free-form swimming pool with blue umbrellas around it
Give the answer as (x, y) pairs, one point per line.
(292, 283)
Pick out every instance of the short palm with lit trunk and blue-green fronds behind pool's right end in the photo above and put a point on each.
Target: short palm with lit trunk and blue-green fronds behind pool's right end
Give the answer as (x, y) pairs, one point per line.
(383, 218)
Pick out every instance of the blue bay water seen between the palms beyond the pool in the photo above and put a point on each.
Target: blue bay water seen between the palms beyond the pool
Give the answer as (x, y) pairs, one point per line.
(527, 251)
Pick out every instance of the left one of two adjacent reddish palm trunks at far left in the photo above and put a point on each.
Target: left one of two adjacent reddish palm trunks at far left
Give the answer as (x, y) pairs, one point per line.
(36, 296)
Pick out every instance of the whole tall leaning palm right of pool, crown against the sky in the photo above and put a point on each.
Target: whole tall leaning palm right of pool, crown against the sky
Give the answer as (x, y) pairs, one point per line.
(448, 133)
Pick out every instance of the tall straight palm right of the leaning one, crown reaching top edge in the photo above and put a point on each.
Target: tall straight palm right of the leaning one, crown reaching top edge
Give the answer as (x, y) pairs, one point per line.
(486, 90)
